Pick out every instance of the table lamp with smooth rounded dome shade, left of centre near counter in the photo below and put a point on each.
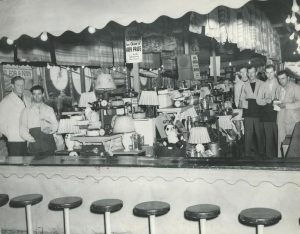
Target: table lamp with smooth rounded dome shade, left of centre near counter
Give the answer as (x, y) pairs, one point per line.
(124, 124)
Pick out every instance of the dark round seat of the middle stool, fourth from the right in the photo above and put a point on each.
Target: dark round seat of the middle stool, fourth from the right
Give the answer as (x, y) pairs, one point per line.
(106, 205)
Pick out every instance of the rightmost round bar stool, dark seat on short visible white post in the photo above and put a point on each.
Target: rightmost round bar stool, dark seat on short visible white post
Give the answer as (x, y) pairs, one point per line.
(259, 217)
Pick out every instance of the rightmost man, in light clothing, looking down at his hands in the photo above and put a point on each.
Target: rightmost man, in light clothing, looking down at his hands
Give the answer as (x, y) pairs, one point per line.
(289, 113)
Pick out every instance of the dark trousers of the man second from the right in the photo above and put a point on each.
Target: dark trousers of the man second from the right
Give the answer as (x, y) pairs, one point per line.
(271, 138)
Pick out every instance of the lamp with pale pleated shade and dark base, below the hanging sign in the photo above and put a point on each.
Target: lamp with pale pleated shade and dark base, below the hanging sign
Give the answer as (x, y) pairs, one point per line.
(149, 99)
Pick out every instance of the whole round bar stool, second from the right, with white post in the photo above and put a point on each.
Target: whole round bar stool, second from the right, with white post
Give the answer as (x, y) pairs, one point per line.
(201, 213)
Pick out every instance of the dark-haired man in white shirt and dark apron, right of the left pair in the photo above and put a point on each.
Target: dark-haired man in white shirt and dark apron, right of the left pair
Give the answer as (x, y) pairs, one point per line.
(37, 125)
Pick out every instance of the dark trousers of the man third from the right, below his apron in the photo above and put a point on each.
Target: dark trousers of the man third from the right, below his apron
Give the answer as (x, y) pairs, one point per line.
(253, 132)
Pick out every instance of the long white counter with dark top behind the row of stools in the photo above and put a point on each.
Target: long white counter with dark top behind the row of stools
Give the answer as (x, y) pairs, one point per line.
(232, 184)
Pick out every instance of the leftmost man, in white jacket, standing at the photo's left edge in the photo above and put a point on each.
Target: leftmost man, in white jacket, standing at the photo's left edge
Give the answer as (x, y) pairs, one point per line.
(10, 110)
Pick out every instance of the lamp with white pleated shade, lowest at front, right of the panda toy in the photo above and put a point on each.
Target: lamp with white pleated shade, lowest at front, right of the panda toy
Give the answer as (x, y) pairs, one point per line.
(198, 137)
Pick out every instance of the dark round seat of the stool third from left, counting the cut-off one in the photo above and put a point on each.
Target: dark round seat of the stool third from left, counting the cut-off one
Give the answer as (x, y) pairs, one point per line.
(64, 202)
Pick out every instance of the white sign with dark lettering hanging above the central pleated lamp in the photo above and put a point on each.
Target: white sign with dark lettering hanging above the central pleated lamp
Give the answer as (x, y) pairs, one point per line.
(133, 45)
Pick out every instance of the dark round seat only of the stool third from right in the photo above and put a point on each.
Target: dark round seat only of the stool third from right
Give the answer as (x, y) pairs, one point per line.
(156, 208)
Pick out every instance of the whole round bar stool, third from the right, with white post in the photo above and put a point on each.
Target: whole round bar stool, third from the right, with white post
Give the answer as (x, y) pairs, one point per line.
(151, 209)
